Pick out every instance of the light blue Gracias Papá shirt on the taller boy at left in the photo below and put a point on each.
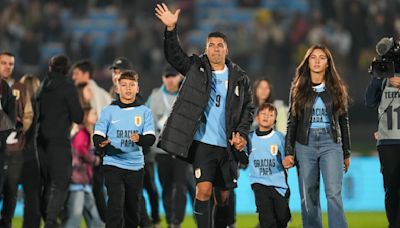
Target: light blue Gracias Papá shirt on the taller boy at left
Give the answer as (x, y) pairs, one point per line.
(118, 124)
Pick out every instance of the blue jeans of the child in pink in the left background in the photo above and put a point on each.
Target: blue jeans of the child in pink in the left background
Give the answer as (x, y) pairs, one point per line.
(82, 203)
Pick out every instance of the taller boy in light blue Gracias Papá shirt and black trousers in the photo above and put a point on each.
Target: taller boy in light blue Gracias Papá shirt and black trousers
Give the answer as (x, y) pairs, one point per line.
(123, 128)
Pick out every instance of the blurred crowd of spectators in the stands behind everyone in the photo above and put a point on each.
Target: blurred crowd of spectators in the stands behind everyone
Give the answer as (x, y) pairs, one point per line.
(269, 41)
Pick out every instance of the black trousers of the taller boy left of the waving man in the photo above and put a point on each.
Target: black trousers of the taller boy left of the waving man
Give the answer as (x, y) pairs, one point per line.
(124, 188)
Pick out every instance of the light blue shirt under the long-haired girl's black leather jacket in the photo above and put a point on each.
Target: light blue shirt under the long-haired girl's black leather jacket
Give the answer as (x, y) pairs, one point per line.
(319, 116)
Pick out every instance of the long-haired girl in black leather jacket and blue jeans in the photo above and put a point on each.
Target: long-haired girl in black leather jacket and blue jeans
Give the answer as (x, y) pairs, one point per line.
(318, 135)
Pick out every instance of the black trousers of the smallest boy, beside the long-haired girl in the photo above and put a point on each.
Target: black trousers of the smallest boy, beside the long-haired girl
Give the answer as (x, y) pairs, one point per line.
(273, 208)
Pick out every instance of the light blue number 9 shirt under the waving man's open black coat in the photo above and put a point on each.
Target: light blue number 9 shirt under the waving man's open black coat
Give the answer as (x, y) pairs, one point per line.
(211, 129)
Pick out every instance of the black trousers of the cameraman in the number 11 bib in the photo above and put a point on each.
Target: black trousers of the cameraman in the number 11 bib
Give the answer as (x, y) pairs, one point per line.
(390, 167)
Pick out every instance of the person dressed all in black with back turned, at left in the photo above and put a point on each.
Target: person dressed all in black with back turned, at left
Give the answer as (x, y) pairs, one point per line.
(59, 107)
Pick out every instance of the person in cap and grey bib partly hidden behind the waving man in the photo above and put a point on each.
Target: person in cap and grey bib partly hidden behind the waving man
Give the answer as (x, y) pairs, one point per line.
(171, 171)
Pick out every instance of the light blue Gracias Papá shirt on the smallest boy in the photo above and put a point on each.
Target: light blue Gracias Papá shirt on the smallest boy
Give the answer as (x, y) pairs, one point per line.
(265, 161)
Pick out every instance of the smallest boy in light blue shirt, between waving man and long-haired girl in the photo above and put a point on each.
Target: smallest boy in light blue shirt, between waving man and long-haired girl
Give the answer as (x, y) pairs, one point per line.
(267, 175)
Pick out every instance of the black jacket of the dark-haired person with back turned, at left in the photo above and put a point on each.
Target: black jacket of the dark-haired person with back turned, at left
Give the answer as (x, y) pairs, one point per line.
(59, 107)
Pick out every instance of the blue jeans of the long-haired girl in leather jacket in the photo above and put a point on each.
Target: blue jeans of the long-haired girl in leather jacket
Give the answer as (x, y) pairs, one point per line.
(323, 155)
